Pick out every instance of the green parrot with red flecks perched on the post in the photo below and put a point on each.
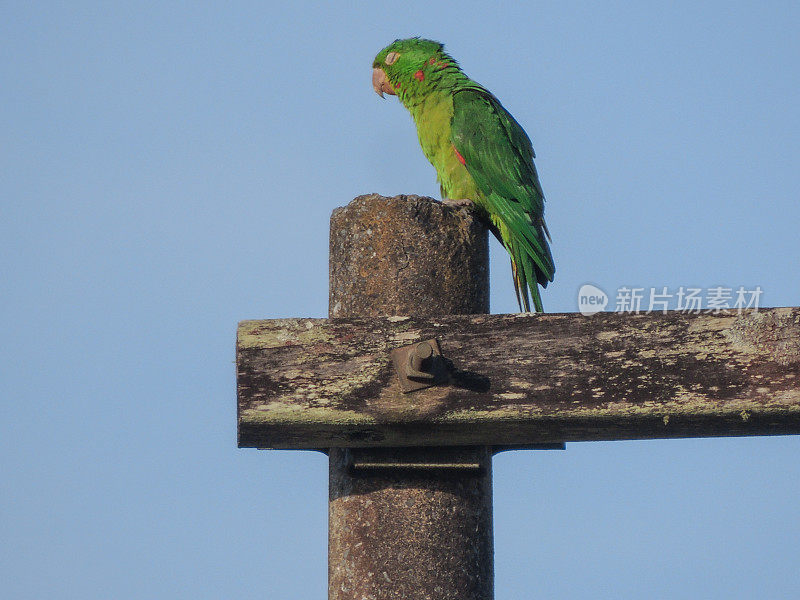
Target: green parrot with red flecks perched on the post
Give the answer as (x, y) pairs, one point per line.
(482, 156)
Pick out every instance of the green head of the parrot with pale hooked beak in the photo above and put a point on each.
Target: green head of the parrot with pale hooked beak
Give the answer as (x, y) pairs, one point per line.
(403, 66)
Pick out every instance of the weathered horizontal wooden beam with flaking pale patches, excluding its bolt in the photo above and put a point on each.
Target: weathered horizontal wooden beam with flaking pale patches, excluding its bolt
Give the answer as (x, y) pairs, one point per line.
(520, 379)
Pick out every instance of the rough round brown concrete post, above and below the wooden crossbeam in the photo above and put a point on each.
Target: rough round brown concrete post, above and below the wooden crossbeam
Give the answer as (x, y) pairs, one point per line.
(406, 533)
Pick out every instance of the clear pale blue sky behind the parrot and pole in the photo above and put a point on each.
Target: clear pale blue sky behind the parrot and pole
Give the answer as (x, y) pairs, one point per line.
(169, 168)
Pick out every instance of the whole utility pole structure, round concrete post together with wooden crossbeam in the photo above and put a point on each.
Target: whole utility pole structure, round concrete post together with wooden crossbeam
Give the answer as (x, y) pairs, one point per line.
(411, 388)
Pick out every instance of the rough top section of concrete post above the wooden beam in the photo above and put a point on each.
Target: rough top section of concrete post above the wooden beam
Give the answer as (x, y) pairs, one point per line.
(407, 255)
